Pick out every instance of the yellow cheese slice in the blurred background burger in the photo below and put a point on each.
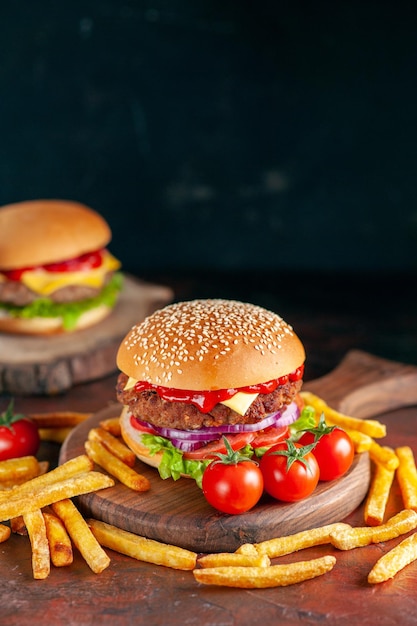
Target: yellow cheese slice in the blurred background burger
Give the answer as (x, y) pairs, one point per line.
(45, 283)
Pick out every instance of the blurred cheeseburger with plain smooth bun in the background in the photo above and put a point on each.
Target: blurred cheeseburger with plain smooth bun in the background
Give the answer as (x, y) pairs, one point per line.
(56, 274)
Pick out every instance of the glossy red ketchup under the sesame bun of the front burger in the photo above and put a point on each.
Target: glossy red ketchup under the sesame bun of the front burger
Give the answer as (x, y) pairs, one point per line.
(206, 400)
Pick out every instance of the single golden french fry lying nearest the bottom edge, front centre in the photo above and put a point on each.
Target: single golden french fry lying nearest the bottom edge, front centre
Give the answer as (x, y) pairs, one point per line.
(263, 577)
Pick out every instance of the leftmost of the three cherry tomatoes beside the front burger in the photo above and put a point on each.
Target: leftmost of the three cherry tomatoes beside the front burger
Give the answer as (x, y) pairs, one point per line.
(232, 488)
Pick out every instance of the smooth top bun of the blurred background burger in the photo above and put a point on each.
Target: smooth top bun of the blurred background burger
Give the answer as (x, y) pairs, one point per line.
(38, 232)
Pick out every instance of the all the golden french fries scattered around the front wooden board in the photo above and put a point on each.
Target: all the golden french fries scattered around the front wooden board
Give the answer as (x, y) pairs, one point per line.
(38, 502)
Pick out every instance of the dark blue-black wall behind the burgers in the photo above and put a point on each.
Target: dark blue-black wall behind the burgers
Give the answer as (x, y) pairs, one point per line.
(219, 135)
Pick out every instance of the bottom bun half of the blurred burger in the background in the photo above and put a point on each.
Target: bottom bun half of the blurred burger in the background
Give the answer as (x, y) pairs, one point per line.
(50, 325)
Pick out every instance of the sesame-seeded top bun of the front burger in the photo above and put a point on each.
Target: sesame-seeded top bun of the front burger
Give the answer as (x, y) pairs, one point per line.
(210, 344)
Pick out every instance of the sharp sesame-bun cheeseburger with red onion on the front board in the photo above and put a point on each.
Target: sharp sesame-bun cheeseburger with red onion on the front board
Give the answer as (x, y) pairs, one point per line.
(194, 372)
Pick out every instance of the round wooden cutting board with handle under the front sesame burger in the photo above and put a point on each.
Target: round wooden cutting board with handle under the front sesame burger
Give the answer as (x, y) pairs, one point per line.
(176, 511)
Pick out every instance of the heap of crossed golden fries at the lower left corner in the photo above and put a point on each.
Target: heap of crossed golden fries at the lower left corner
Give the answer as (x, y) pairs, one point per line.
(41, 507)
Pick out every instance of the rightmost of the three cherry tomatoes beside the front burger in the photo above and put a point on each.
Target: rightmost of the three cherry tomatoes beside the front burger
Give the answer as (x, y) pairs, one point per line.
(334, 450)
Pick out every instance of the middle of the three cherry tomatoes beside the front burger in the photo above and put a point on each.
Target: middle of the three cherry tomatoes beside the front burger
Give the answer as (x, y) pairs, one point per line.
(290, 471)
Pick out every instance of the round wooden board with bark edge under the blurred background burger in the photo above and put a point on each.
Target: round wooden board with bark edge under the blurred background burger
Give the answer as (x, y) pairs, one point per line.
(34, 365)
